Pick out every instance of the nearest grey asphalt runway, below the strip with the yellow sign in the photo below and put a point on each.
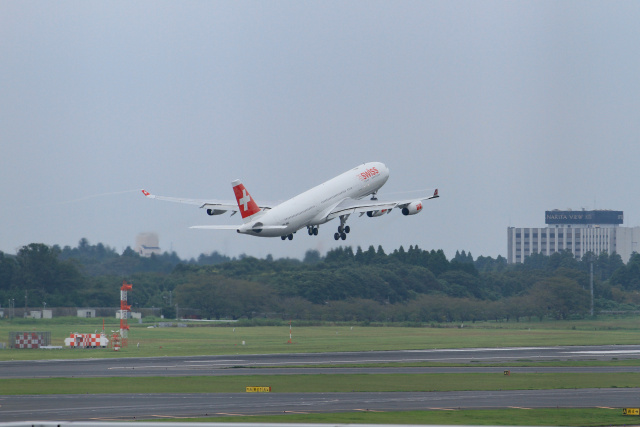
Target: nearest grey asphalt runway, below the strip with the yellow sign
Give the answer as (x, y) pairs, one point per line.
(127, 407)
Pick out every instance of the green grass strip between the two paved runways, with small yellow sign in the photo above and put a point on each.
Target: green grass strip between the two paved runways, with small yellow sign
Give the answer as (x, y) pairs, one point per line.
(321, 383)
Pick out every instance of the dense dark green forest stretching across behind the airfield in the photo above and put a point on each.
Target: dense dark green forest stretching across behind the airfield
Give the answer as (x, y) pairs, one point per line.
(362, 285)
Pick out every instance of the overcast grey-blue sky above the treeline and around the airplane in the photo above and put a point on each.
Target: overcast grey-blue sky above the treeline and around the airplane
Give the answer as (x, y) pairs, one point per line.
(510, 108)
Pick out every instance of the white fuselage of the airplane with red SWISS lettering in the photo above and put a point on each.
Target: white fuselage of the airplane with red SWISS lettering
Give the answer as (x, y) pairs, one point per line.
(312, 207)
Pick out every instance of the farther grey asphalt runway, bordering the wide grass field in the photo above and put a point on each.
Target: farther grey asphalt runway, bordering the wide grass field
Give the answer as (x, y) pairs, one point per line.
(281, 364)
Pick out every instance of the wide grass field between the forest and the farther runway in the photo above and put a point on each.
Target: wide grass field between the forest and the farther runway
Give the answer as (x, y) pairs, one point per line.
(229, 339)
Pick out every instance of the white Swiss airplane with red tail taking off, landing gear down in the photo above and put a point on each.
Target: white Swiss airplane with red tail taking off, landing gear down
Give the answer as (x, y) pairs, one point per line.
(339, 197)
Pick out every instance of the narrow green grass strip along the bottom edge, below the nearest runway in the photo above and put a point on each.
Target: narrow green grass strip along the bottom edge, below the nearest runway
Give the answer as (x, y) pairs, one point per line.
(516, 417)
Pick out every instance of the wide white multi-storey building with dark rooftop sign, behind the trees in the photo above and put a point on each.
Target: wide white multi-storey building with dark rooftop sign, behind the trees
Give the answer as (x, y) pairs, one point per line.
(578, 231)
